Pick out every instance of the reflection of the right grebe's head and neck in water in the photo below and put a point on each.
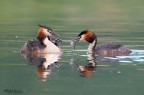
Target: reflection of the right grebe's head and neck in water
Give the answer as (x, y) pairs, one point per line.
(88, 69)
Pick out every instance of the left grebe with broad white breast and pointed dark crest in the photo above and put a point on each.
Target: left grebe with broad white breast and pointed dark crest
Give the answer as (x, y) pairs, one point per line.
(46, 42)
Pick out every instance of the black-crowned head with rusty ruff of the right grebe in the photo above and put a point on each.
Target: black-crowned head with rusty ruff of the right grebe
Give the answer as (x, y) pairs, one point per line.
(86, 35)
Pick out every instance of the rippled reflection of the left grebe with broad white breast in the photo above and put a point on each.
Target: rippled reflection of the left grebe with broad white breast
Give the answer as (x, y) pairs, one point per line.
(46, 64)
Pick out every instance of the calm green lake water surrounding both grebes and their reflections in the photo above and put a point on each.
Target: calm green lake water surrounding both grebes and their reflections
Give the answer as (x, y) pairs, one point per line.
(120, 21)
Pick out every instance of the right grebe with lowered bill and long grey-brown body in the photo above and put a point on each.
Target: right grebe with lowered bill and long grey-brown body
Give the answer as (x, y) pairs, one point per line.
(105, 49)
